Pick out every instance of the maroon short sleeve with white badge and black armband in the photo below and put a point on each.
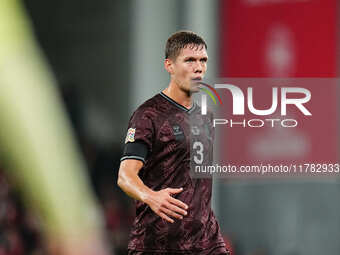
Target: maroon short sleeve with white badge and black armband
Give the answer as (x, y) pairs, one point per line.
(139, 137)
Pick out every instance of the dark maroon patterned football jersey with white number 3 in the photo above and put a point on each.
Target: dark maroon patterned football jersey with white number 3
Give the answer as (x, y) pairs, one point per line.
(166, 129)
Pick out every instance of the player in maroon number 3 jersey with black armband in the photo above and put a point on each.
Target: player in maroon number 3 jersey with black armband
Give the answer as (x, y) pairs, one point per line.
(173, 210)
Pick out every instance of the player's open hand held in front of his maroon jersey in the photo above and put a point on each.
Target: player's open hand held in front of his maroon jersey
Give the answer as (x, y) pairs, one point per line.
(165, 206)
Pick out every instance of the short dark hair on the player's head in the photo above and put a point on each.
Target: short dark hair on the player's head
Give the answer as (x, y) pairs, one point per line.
(180, 40)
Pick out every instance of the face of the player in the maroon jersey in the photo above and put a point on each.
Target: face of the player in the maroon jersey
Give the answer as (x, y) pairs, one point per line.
(189, 67)
